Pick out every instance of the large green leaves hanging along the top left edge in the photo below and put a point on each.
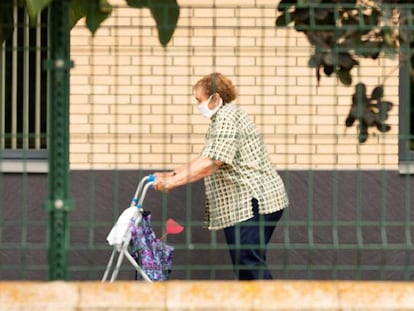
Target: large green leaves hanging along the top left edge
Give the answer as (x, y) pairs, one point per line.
(164, 12)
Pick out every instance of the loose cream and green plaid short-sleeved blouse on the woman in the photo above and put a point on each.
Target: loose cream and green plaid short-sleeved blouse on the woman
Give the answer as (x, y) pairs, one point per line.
(246, 173)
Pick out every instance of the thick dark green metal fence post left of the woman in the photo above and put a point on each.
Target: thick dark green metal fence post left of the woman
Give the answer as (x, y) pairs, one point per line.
(58, 204)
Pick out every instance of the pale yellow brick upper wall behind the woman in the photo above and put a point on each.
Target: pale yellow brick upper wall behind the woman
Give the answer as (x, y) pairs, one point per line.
(131, 99)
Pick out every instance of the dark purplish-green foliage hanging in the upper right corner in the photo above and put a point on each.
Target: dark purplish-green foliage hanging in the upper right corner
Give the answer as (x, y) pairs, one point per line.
(343, 32)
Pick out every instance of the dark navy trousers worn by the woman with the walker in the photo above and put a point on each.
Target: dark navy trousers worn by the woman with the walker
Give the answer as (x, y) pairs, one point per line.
(247, 242)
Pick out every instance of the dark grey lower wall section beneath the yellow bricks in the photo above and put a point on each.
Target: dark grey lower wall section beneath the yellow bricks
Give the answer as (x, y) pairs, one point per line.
(340, 225)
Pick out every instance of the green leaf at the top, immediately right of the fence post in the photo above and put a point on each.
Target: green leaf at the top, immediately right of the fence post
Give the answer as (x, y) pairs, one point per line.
(95, 11)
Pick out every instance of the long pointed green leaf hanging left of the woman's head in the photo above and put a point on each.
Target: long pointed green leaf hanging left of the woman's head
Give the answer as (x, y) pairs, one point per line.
(165, 13)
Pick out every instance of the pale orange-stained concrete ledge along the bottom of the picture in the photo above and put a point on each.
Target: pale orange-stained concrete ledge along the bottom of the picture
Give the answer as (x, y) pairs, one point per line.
(206, 295)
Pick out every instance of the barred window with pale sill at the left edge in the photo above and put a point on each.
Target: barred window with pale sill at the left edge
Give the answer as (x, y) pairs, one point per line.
(23, 96)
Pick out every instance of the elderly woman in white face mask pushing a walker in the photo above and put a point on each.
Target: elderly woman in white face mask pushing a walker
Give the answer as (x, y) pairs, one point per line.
(245, 196)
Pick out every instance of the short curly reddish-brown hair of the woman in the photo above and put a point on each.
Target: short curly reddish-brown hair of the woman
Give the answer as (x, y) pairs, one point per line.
(217, 83)
